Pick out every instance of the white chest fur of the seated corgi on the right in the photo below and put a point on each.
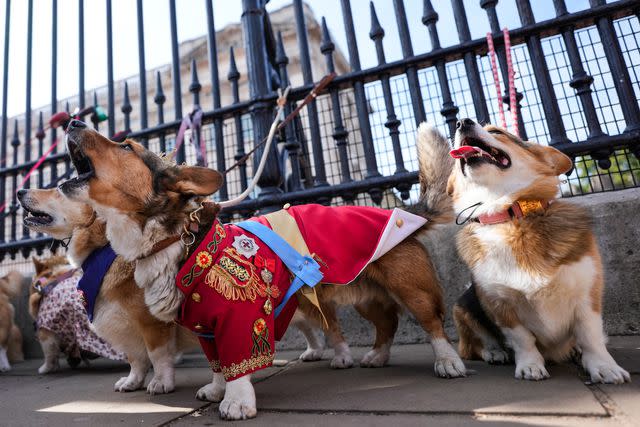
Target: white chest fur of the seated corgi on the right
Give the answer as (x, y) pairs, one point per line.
(550, 300)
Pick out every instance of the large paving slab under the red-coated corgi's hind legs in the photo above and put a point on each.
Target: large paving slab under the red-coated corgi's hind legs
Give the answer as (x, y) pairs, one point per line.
(408, 385)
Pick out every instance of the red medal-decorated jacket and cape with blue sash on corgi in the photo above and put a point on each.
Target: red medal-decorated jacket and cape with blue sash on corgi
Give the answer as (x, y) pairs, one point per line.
(239, 282)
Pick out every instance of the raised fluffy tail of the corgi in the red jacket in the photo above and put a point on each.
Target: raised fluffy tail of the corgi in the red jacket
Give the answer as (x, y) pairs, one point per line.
(435, 166)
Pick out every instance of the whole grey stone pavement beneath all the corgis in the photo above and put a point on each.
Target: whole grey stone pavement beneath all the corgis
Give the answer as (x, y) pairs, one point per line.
(312, 394)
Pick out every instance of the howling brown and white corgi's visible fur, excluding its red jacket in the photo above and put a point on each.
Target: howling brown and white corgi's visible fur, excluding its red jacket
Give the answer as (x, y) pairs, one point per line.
(146, 202)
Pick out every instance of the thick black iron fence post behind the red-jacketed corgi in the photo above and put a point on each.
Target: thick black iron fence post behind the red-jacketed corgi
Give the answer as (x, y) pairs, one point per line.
(259, 88)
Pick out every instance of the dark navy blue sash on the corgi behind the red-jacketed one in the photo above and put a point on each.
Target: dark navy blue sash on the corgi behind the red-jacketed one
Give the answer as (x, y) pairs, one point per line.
(94, 268)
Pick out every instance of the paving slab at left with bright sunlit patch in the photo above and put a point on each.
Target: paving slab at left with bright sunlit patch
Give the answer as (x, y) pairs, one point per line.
(85, 396)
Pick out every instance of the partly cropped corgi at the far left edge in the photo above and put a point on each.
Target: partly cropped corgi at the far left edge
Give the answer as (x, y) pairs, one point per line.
(10, 335)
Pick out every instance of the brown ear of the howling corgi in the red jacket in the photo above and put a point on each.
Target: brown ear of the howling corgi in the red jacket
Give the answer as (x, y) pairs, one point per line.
(193, 180)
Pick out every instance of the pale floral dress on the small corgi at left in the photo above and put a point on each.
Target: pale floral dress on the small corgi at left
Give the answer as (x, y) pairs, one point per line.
(63, 313)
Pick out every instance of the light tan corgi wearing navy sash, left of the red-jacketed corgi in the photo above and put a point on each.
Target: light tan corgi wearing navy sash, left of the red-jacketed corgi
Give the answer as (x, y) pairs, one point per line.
(120, 315)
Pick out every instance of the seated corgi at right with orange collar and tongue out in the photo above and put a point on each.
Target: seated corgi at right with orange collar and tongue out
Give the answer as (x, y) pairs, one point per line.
(537, 279)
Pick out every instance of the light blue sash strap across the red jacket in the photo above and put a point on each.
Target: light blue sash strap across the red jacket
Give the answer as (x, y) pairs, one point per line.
(306, 270)
